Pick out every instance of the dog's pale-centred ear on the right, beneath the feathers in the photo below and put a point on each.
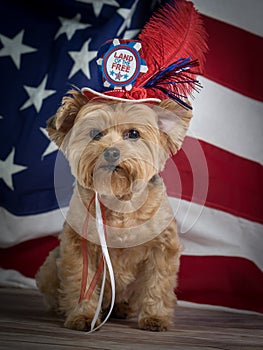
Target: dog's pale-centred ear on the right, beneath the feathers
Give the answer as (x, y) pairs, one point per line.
(173, 120)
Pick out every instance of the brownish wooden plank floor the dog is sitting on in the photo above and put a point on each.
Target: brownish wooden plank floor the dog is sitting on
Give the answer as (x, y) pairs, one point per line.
(24, 324)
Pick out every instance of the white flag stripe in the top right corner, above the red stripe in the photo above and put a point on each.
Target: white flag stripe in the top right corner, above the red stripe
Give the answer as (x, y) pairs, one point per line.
(240, 13)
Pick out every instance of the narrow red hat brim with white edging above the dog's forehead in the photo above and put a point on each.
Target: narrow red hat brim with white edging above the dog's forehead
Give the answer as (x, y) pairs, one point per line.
(92, 95)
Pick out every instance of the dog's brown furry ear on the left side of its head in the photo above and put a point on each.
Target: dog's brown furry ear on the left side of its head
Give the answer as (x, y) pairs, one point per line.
(60, 124)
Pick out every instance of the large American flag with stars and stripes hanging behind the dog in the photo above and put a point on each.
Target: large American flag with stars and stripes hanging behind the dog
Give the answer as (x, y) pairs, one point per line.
(214, 183)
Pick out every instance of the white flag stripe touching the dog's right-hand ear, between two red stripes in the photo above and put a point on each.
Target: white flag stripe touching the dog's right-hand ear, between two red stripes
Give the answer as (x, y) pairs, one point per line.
(228, 120)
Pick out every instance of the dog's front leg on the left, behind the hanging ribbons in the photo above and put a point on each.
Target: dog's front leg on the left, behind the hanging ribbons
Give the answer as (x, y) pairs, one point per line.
(79, 314)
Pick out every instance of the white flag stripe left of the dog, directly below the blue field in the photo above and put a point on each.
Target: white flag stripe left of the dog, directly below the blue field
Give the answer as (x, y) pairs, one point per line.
(17, 229)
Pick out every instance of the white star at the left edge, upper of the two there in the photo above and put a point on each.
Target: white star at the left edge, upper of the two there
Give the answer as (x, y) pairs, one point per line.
(15, 48)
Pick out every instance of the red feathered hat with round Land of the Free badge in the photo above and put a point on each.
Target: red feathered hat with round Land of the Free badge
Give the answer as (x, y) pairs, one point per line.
(162, 64)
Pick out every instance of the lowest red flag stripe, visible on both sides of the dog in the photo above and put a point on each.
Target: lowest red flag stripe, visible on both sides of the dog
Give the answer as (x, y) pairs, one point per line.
(225, 281)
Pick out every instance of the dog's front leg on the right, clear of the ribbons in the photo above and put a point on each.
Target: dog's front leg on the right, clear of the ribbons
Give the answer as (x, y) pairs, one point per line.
(159, 278)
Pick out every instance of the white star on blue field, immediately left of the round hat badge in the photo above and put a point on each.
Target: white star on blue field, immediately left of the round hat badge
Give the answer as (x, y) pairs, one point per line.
(82, 59)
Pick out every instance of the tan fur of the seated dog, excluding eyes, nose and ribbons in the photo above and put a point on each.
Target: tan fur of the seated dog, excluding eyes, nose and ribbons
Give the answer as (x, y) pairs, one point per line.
(141, 231)
